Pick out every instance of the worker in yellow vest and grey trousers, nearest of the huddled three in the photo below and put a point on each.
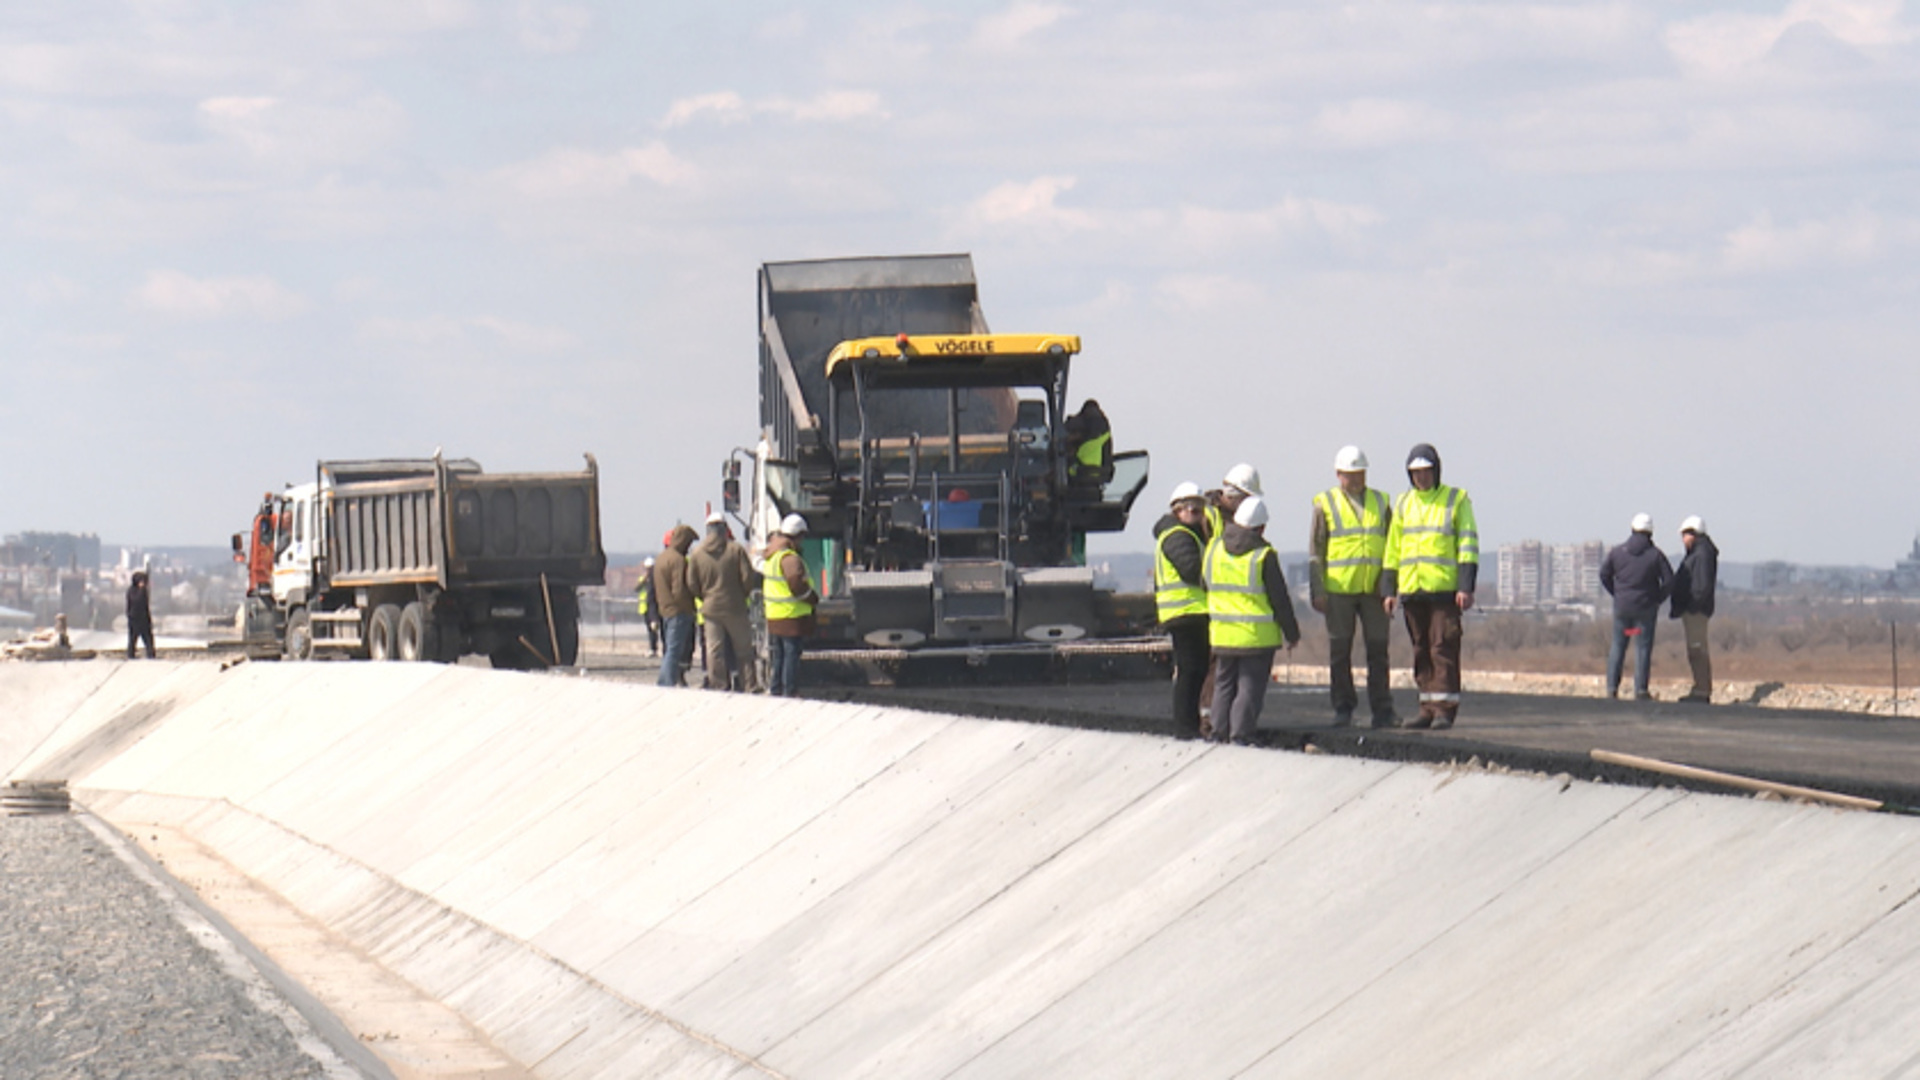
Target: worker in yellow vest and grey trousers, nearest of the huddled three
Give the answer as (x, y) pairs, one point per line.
(1249, 618)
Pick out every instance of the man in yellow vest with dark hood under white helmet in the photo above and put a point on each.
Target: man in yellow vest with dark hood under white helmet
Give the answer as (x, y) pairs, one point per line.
(1431, 566)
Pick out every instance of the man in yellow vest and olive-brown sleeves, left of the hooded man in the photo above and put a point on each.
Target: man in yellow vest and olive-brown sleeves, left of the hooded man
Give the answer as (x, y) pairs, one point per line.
(1347, 543)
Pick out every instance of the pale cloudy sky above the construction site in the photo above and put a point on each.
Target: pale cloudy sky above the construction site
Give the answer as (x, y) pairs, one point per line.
(1610, 257)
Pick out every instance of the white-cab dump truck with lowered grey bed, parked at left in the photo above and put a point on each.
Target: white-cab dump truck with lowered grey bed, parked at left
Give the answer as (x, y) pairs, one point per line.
(423, 560)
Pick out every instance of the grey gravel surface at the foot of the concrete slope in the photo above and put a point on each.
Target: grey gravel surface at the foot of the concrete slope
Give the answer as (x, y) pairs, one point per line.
(101, 981)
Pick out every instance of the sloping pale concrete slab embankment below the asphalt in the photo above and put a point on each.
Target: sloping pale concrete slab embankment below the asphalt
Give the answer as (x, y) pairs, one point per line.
(619, 881)
